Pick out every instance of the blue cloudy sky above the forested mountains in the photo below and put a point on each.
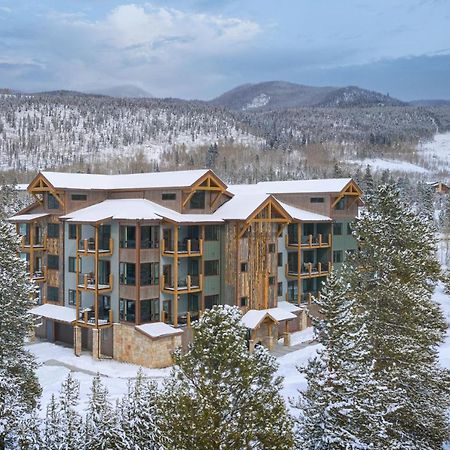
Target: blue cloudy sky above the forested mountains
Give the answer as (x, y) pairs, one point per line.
(201, 48)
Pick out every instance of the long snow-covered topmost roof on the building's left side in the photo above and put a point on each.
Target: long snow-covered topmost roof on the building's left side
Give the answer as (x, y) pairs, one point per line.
(86, 181)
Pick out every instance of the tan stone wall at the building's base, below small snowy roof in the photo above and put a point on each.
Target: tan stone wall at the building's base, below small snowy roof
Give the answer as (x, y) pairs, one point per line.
(130, 345)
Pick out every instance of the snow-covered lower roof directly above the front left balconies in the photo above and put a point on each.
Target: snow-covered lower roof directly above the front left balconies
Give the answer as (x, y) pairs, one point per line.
(134, 209)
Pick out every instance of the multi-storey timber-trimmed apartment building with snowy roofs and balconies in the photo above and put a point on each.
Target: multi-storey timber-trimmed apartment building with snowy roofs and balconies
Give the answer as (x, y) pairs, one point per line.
(124, 263)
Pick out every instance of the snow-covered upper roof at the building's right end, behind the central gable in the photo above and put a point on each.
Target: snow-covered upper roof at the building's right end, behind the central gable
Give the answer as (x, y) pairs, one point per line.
(332, 185)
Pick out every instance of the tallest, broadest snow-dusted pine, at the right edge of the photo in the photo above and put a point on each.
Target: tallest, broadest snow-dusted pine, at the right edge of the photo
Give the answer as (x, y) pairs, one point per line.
(393, 278)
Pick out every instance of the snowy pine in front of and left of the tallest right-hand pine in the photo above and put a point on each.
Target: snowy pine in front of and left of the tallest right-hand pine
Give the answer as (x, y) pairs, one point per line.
(340, 408)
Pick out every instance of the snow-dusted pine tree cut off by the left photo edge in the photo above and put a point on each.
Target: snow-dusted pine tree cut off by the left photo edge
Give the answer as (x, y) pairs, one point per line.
(18, 381)
